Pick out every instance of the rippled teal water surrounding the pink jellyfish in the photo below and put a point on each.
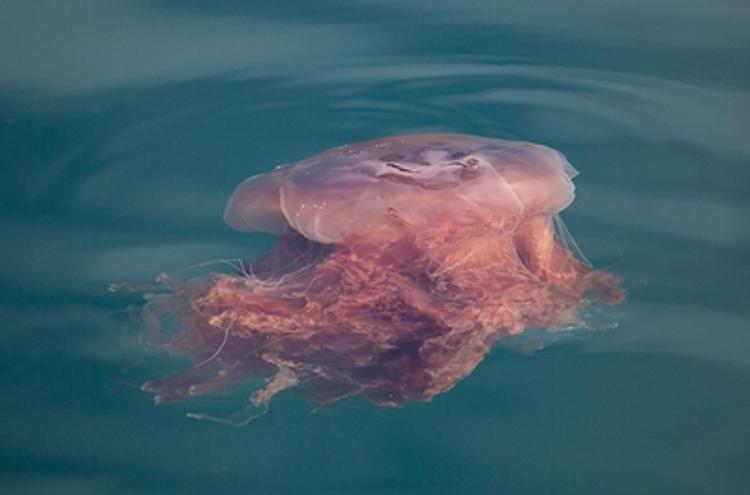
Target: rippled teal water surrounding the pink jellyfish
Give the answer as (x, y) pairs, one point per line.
(125, 125)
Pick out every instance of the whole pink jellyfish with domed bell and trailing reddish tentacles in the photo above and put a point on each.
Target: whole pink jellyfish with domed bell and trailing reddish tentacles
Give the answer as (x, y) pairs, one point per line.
(399, 263)
